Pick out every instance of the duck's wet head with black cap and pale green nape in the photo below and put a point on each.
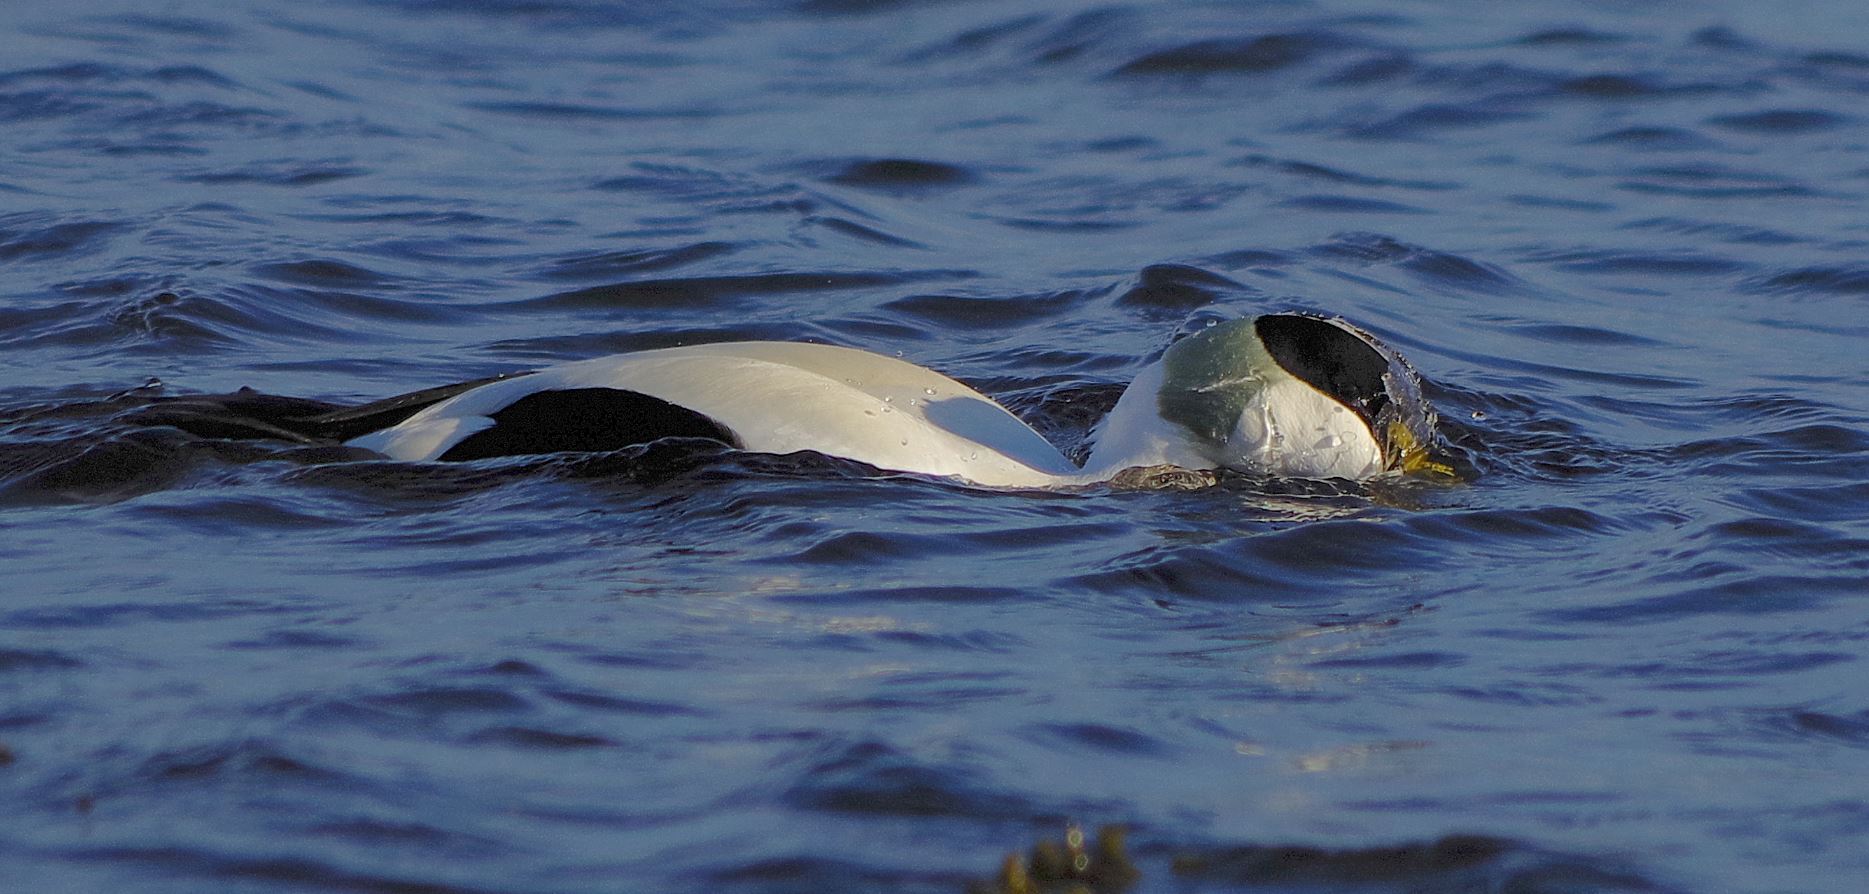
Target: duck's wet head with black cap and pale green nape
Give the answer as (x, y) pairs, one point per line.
(1296, 396)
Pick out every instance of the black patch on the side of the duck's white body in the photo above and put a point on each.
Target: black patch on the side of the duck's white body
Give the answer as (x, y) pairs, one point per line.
(584, 420)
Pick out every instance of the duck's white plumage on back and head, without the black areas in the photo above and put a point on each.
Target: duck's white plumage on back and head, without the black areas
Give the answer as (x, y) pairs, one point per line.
(786, 397)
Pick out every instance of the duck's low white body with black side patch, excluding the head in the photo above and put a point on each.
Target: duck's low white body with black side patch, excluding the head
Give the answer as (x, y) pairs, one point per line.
(765, 397)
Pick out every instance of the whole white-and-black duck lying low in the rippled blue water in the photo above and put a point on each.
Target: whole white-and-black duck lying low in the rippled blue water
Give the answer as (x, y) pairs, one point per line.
(1285, 396)
